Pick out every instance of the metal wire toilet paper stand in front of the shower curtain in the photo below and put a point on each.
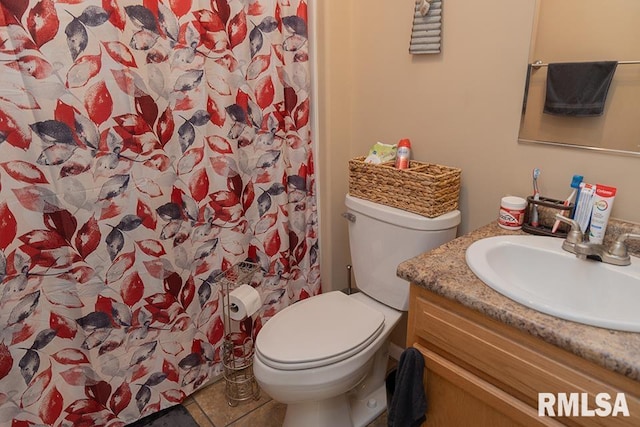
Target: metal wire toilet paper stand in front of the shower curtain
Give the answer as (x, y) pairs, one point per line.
(237, 357)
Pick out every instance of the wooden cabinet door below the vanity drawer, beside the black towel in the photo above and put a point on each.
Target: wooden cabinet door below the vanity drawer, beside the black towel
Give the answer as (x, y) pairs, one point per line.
(456, 397)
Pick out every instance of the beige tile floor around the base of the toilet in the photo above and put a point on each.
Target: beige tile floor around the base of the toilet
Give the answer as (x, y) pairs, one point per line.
(209, 408)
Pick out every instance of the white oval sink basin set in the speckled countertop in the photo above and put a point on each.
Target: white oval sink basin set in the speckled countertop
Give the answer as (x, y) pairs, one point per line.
(537, 272)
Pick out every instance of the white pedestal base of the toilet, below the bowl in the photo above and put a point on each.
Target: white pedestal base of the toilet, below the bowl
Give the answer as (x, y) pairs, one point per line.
(339, 411)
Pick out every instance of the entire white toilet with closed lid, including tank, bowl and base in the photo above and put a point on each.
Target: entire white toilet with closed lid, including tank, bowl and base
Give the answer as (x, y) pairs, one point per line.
(326, 357)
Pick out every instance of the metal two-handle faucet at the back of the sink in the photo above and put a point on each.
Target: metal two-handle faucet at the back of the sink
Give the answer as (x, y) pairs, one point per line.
(617, 254)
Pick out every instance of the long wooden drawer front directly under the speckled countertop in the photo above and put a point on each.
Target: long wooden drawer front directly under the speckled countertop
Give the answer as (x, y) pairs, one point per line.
(512, 363)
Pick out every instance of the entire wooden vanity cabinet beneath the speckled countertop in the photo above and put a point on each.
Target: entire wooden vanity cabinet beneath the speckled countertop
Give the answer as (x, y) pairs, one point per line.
(481, 372)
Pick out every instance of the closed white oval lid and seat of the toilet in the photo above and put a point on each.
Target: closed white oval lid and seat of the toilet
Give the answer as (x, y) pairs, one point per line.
(318, 331)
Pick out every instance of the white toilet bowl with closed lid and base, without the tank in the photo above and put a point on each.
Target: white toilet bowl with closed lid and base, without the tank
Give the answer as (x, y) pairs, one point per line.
(315, 388)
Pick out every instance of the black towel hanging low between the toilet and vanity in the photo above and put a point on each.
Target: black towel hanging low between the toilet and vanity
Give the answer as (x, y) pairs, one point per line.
(409, 403)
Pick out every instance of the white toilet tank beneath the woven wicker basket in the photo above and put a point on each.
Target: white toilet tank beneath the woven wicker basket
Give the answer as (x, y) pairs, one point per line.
(381, 237)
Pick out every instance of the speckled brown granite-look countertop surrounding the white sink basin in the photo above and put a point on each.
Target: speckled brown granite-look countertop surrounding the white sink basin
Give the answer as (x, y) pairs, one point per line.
(444, 271)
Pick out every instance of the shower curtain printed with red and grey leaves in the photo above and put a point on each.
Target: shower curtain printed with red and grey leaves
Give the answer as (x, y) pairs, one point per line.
(145, 146)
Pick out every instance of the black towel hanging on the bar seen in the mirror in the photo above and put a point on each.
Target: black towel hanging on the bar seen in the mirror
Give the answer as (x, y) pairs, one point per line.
(578, 88)
